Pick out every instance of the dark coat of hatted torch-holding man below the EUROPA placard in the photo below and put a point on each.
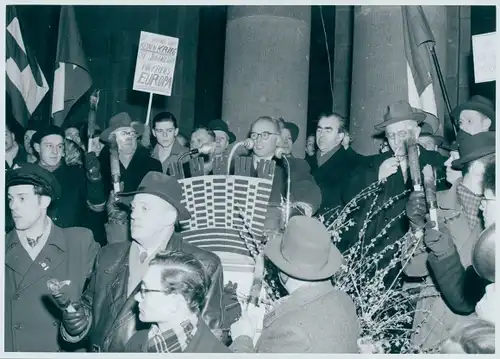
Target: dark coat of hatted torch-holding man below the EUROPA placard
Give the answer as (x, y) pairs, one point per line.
(140, 164)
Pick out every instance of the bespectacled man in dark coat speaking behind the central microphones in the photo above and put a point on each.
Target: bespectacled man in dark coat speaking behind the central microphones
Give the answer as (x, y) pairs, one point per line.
(305, 193)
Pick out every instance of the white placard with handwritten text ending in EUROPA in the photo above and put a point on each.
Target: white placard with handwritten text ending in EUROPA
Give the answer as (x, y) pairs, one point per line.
(155, 66)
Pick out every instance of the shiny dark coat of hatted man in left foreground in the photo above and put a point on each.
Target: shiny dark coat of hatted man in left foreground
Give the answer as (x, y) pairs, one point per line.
(114, 315)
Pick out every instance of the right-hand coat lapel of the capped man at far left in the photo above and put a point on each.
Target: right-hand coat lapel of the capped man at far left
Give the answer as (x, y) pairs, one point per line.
(49, 259)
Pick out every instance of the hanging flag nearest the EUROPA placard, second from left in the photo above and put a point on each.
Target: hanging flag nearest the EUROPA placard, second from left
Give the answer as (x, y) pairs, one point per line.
(72, 76)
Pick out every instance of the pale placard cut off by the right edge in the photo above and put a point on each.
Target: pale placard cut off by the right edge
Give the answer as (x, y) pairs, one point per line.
(484, 50)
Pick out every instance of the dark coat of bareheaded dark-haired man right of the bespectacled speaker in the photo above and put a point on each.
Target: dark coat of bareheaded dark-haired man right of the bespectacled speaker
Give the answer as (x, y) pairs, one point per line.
(334, 174)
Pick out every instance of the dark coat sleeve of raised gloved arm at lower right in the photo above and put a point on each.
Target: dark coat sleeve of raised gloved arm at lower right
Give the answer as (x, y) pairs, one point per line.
(460, 288)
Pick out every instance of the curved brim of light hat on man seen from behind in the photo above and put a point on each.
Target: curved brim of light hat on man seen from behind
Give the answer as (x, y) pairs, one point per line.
(295, 270)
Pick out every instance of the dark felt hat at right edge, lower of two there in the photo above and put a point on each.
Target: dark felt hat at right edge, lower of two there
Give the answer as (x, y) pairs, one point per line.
(474, 148)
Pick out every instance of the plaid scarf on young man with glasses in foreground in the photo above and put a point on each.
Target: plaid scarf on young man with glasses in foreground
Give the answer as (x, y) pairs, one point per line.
(174, 340)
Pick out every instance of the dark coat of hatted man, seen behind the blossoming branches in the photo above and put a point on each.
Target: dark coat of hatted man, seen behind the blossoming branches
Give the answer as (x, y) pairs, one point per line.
(394, 185)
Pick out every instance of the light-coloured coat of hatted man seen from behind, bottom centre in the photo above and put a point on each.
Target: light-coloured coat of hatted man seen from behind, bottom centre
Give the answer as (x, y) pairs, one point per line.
(318, 319)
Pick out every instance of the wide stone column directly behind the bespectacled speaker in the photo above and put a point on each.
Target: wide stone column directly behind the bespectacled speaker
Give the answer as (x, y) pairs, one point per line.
(266, 68)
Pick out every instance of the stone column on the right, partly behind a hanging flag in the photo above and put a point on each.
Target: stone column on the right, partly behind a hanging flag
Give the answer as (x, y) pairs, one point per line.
(379, 67)
